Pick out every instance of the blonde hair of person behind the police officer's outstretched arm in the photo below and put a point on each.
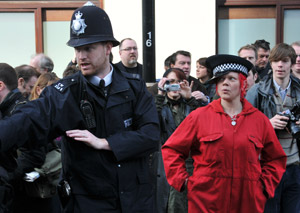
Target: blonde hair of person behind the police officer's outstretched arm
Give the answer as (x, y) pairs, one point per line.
(43, 81)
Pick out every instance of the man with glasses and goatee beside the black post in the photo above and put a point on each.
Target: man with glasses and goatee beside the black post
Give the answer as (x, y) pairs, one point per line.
(129, 54)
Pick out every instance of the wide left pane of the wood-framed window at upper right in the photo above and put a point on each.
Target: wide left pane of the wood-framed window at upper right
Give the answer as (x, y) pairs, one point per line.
(240, 26)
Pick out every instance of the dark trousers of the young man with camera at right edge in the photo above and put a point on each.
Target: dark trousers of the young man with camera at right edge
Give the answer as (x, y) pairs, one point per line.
(287, 194)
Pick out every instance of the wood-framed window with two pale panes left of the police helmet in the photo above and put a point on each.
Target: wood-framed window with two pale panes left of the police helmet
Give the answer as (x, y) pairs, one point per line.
(29, 27)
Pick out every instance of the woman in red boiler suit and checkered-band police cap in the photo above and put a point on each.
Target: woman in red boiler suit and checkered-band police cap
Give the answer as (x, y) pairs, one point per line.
(238, 160)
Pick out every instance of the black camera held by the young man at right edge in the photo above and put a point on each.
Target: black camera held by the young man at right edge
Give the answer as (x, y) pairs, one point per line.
(293, 115)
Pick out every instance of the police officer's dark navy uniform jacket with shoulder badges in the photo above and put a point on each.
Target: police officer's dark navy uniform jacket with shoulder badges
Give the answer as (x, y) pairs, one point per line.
(127, 119)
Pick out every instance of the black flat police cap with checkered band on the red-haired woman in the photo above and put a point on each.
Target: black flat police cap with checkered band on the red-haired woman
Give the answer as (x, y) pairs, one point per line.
(222, 64)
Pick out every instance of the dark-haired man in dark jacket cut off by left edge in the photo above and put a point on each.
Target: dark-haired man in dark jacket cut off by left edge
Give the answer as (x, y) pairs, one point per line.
(14, 164)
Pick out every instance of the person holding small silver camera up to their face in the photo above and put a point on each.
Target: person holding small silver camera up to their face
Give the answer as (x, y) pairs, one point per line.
(174, 102)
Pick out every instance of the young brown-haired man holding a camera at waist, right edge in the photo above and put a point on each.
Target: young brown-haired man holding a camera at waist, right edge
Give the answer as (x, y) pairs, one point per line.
(278, 96)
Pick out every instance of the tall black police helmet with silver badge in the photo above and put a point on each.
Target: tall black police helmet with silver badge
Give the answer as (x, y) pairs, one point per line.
(90, 24)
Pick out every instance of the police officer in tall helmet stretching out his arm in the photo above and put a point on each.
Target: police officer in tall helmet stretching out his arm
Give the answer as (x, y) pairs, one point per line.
(109, 120)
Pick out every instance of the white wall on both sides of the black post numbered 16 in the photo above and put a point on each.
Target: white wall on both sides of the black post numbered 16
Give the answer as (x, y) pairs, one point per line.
(180, 25)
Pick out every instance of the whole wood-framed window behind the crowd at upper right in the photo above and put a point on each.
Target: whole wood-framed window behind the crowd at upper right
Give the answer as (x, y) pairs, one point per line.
(242, 22)
